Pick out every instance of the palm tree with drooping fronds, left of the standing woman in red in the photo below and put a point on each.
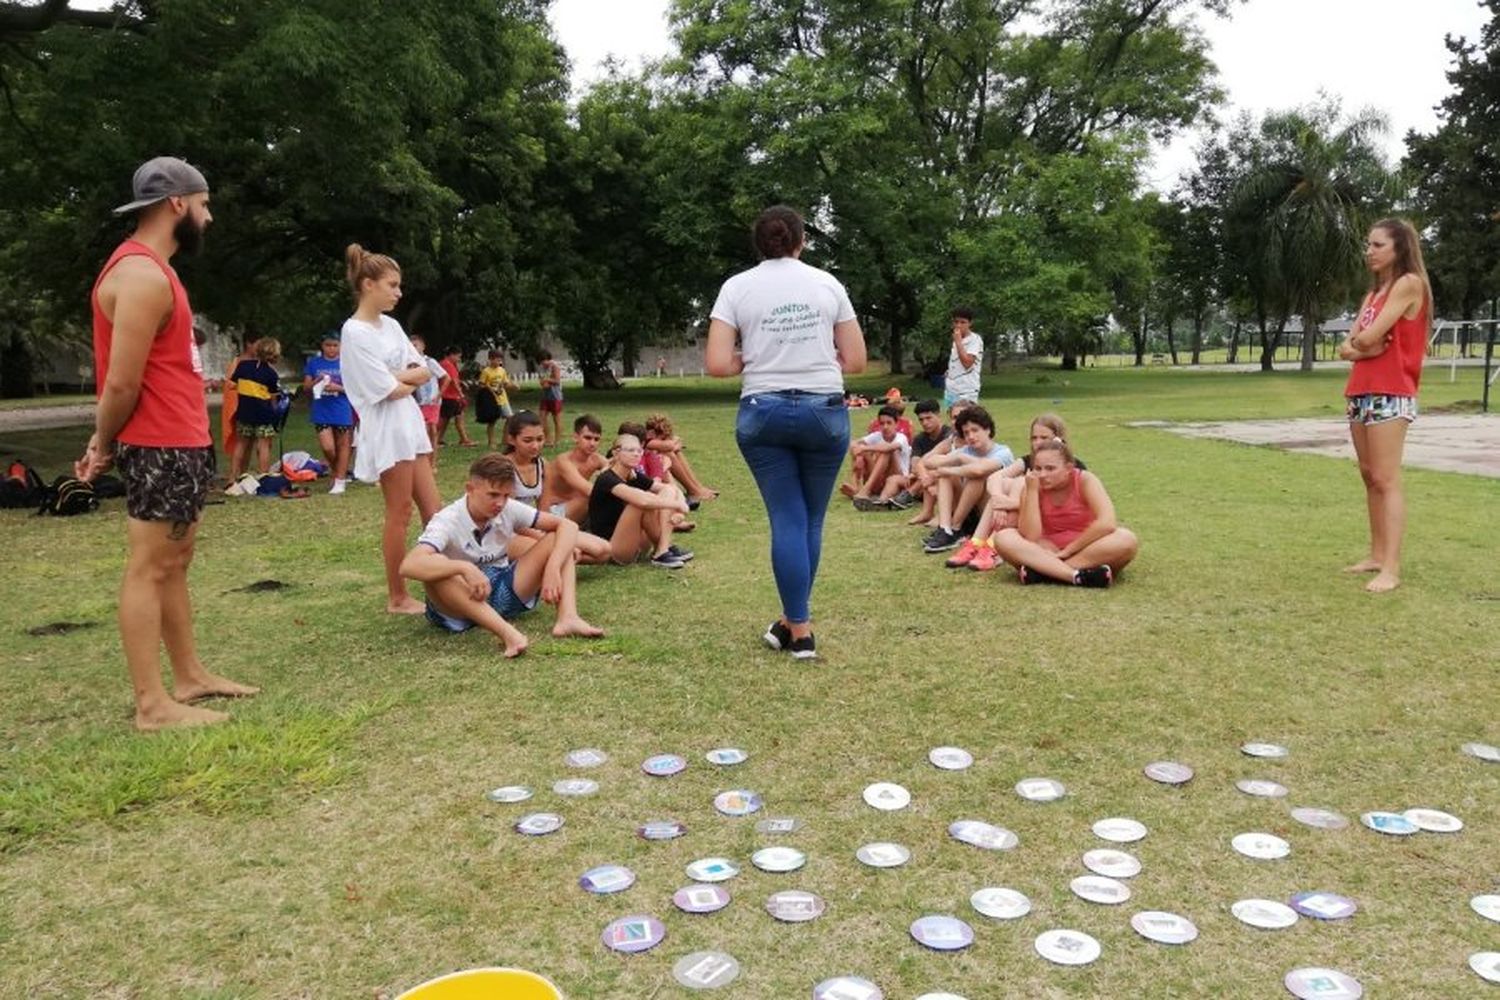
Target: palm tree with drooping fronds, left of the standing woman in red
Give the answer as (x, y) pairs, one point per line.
(1316, 188)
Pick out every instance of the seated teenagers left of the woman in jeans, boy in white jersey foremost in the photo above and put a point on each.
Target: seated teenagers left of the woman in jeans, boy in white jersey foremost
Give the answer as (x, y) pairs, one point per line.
(524, 524)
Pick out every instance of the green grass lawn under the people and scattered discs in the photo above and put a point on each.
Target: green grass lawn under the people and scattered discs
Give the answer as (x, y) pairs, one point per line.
(335, 840)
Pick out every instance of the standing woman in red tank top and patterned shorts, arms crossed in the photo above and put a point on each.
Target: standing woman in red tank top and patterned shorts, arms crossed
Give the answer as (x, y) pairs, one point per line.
(1387, 346)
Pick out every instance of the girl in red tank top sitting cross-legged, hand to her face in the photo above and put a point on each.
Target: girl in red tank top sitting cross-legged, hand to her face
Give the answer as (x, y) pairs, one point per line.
(1067, 531)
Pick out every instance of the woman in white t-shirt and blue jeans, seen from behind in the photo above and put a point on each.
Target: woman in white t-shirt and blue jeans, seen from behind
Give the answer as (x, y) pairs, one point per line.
(799, 337)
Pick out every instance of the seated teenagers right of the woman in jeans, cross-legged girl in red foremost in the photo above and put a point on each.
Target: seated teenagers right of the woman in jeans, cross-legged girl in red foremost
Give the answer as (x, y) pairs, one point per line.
(1045, 513)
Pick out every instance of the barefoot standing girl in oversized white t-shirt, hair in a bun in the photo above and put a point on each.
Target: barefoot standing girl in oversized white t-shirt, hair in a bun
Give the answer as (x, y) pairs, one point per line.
(382, 373)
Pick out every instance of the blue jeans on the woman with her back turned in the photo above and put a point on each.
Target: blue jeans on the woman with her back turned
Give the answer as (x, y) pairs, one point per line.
(794, 445)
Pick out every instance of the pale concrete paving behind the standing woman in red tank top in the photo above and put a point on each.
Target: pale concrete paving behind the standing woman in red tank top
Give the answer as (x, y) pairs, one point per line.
(1448, 443)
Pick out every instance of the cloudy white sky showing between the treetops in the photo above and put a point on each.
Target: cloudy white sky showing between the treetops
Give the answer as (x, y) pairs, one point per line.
(1271, 55)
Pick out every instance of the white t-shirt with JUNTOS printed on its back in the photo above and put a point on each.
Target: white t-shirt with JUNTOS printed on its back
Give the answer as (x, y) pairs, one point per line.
(785, 313)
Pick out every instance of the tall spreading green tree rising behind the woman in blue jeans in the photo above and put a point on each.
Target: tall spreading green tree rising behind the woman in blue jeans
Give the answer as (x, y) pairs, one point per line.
(904, 124)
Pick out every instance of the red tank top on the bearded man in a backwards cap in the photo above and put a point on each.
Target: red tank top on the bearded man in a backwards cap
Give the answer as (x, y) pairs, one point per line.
(172, 412)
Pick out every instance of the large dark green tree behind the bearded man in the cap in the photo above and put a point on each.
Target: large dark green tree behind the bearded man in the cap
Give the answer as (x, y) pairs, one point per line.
(422, 134)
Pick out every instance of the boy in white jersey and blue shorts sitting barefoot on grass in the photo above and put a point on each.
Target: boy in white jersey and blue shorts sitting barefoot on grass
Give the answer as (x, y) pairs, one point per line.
(461, 560)
